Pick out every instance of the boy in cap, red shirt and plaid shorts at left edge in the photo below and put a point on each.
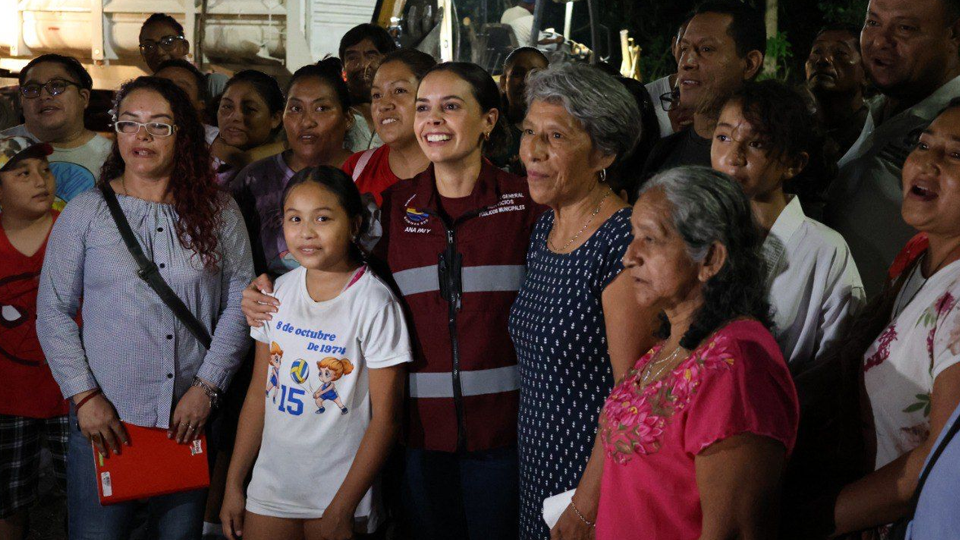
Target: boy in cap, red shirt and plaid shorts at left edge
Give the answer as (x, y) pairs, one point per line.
(31, 406)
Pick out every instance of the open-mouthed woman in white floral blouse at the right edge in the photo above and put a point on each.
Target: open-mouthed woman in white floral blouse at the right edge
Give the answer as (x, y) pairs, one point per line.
(910, 372)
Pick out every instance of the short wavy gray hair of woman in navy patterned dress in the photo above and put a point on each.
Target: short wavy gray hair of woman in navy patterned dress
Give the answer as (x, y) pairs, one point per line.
(602, 105)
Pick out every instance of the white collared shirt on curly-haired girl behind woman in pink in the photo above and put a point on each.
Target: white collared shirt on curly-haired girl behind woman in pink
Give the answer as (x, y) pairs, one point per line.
(815, 288)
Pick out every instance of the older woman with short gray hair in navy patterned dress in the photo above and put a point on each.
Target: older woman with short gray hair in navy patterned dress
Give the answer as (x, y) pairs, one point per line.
(574, 323)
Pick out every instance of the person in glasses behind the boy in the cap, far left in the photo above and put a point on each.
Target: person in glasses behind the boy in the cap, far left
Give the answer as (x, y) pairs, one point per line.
(54, 92)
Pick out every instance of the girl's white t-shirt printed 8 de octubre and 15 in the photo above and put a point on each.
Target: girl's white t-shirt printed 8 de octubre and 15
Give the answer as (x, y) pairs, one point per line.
(314, 420)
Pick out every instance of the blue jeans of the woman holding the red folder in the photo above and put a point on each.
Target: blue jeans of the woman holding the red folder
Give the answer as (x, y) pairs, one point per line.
(170, 517)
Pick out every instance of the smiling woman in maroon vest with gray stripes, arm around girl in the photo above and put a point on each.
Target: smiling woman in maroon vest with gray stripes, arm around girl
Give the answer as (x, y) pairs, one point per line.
(455, 240)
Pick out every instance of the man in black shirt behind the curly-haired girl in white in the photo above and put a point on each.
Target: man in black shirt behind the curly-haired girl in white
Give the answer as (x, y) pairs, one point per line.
(722, 47)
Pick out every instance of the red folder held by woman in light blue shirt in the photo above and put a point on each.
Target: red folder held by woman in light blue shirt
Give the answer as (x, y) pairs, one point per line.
(152, 465)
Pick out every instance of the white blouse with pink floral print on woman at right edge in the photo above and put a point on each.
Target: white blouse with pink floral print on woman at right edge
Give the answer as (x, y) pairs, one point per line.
(905, 359)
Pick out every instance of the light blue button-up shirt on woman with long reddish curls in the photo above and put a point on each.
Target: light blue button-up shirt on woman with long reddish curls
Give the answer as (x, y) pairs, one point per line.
(131, 345)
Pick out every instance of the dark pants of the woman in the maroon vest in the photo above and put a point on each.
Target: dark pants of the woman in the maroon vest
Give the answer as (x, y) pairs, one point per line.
(462, 496)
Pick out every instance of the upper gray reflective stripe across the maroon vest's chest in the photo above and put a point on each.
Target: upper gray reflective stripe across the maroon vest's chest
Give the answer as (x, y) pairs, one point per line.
(507, 277)
